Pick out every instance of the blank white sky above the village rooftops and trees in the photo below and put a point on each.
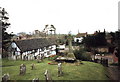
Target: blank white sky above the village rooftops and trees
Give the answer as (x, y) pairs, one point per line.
(65, 15)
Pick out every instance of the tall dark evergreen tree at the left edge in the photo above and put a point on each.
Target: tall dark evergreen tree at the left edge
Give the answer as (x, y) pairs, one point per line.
(6, 37)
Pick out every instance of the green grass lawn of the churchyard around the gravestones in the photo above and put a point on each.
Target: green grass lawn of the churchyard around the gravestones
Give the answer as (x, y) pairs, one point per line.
(87, 71)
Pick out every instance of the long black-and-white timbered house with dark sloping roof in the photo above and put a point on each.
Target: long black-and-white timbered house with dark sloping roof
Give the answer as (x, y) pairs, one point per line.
(32, 48)
